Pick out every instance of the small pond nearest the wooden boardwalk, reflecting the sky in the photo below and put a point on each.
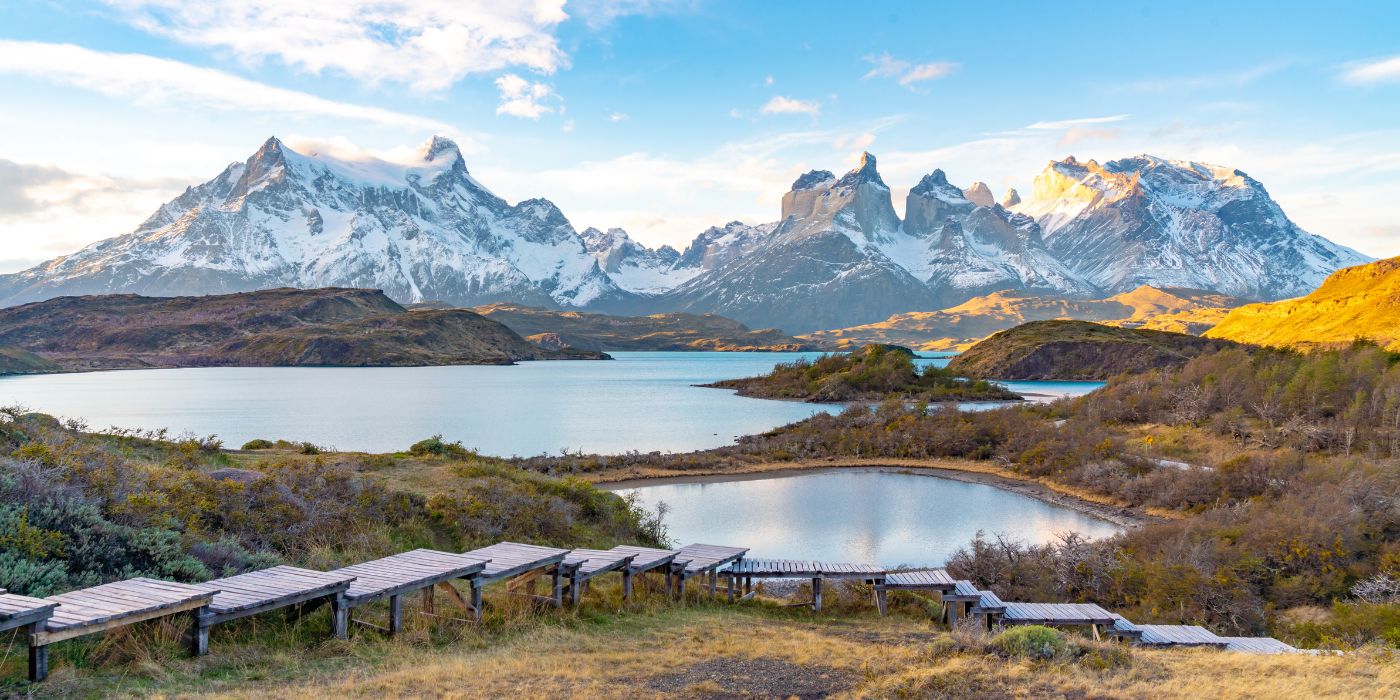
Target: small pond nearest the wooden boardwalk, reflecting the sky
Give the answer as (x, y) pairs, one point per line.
(863, 516)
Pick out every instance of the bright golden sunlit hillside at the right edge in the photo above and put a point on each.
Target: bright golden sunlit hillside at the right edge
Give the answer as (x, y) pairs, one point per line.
(1354, 303)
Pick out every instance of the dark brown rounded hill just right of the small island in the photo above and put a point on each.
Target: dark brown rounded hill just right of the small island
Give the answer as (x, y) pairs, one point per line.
(1077, 351)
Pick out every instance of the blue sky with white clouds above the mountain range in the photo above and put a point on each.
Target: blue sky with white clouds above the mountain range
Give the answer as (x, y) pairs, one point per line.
(668, 117)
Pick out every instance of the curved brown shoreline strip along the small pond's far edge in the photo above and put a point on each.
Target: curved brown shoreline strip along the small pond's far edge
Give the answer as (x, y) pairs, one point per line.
(954, 470)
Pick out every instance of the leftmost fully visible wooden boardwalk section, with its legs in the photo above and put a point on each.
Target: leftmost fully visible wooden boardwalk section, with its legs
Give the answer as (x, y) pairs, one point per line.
(106, 607)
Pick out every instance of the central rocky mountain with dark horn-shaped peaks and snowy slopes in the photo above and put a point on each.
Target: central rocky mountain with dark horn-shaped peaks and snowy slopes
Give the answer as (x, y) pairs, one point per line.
(842, 255)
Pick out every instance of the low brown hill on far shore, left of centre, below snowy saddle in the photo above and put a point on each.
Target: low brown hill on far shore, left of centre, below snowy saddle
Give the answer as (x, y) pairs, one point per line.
(654, 332)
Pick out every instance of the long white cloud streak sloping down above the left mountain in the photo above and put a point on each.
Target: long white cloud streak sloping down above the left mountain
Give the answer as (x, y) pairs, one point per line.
(149, 80)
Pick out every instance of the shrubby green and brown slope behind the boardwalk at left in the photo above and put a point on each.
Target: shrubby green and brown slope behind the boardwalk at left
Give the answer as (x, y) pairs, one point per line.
(80, 509)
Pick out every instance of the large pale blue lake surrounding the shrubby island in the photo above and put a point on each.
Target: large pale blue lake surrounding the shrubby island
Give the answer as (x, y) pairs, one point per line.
(640, 401)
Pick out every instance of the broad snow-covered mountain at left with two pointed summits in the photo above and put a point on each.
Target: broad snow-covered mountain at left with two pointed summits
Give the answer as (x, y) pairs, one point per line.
(423, 230)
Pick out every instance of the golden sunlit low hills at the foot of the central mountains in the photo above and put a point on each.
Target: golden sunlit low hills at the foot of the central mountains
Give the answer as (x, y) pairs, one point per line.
(961, 327)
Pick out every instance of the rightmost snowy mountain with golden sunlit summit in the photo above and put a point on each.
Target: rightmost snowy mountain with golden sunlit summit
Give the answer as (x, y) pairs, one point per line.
(1149, 220)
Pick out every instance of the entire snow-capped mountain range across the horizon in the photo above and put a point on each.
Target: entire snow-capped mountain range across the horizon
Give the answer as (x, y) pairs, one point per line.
(838, 257)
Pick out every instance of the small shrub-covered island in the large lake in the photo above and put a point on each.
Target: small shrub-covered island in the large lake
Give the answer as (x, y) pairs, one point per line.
(873, 373)
